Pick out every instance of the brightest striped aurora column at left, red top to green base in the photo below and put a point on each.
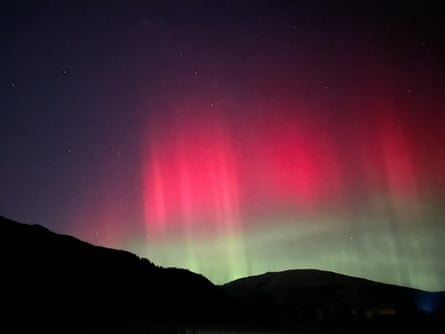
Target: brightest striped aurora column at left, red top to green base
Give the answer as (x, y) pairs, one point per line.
(191, 191)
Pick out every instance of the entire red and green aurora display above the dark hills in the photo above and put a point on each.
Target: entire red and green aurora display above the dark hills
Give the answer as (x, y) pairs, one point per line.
(282, 194)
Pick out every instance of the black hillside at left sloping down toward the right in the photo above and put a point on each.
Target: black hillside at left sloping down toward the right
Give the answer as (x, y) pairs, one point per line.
(51, 277)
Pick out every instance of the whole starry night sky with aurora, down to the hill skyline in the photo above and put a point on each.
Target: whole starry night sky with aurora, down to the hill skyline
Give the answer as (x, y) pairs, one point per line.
(231, 137)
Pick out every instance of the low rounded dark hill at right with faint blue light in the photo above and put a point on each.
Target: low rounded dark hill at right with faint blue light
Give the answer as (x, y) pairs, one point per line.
(303, 295)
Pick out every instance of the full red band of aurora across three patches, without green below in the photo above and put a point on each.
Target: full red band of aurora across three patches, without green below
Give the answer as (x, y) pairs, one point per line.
(200, 174)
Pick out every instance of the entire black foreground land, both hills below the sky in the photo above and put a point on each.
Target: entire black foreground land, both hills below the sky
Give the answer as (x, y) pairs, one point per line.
(57, 283)
